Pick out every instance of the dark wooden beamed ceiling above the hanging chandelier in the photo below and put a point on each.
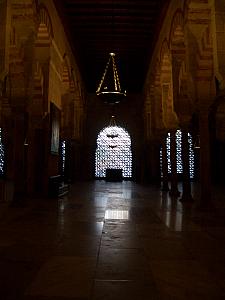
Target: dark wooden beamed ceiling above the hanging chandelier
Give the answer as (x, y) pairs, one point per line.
(127, 27)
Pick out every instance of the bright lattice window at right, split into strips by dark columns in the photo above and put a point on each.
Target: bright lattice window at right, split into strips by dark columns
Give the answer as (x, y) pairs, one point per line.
(179, 154)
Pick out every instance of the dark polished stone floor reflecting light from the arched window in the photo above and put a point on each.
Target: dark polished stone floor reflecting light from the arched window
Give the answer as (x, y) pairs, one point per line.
(112, 241)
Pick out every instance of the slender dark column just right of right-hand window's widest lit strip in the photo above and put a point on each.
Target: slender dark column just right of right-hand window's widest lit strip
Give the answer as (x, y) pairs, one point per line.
(186, 195)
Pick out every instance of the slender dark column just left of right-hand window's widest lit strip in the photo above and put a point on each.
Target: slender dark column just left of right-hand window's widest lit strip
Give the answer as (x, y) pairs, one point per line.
(173, 158)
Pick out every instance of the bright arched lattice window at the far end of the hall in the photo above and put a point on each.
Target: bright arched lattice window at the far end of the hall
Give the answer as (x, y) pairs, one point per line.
(113, 152)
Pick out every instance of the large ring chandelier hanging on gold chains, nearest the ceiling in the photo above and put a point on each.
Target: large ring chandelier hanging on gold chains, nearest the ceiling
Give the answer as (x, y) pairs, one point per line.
(109, 88)
